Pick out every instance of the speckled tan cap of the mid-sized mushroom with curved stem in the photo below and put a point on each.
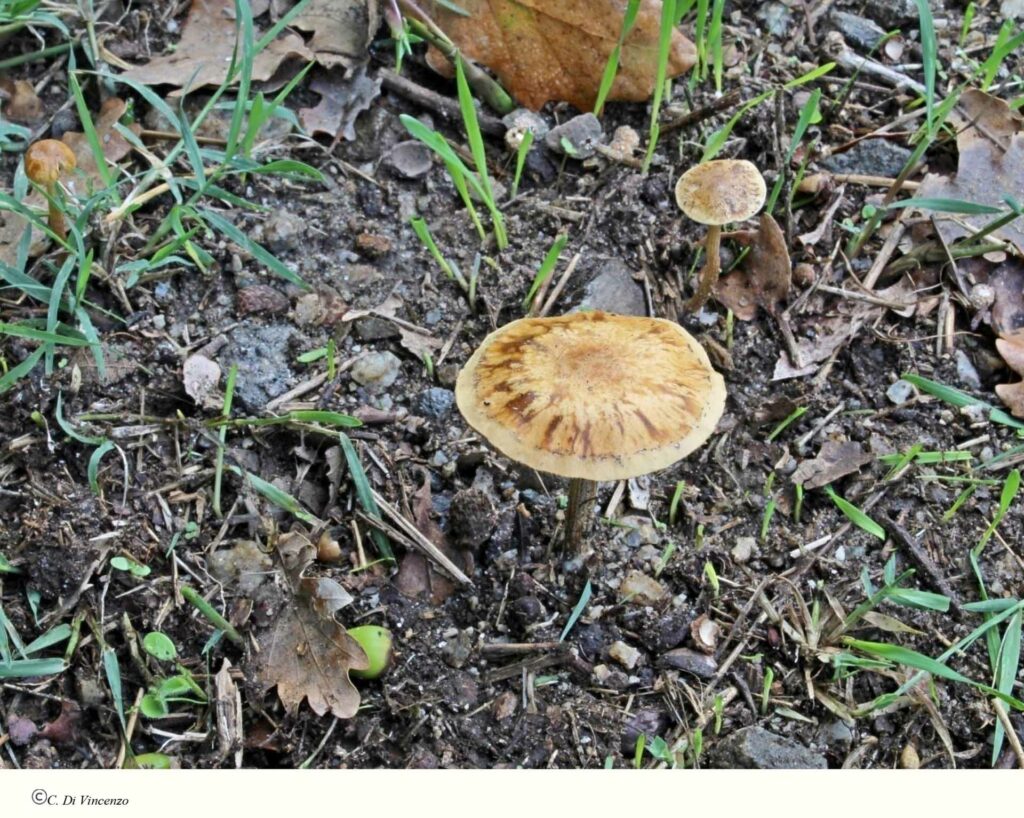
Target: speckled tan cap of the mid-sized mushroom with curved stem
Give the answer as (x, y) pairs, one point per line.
(721, 192)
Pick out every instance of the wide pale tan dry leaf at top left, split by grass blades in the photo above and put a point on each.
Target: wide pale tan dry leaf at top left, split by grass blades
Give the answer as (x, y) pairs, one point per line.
(204, 53)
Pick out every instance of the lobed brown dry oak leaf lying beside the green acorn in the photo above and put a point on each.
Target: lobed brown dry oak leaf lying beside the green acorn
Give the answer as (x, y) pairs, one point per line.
(309, 654)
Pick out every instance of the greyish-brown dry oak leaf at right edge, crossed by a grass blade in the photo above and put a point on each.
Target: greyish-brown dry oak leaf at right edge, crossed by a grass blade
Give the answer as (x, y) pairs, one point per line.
(991, 167)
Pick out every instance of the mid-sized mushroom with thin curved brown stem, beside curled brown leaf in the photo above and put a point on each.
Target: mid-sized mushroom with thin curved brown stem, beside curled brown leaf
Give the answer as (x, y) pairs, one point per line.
(718, 193)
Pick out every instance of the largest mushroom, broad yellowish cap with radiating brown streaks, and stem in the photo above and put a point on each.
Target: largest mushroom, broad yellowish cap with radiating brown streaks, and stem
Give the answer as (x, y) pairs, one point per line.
(591, 397)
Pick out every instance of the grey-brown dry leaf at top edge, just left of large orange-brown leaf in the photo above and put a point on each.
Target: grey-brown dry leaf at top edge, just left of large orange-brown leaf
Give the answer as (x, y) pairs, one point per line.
(343, 30)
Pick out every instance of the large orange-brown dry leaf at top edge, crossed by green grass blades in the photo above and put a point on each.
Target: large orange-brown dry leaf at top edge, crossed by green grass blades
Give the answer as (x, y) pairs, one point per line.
(545, 51)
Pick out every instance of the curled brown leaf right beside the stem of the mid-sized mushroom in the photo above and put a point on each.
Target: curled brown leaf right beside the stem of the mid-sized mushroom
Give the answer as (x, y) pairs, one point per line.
(766, 276)
